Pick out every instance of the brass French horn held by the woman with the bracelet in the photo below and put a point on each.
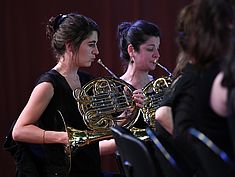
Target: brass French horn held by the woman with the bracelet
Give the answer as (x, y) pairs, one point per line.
(103, 102)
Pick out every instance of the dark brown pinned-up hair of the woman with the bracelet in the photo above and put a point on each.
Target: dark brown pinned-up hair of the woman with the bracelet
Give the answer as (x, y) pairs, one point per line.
(73, 28)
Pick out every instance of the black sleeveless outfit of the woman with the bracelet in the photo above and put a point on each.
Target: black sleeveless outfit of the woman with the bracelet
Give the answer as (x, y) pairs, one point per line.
(86, 160)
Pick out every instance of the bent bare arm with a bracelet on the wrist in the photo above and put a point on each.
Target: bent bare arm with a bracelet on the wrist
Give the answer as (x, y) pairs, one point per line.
(25, 129)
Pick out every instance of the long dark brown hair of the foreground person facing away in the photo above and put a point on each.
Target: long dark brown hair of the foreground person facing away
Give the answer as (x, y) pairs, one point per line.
(211, 31)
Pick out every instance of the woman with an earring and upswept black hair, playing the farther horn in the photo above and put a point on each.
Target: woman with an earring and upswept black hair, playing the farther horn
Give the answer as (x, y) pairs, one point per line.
(139, 43)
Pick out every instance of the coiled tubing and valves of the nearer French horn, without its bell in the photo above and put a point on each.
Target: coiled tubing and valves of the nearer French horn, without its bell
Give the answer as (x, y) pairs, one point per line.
(106, 101)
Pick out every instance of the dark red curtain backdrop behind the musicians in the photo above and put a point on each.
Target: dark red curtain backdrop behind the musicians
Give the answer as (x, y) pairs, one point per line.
(25, 52)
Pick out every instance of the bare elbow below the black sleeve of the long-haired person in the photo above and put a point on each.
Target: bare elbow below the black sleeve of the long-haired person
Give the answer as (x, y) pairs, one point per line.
(164, 116)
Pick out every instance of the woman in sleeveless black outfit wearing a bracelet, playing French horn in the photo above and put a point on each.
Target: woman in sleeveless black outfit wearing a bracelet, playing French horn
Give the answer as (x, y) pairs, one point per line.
(38, 129)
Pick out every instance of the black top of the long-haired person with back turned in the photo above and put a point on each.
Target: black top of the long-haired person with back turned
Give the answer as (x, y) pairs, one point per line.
(192, 108)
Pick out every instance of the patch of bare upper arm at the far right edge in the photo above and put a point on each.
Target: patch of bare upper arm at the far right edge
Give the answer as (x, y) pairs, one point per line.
(218, 97)
